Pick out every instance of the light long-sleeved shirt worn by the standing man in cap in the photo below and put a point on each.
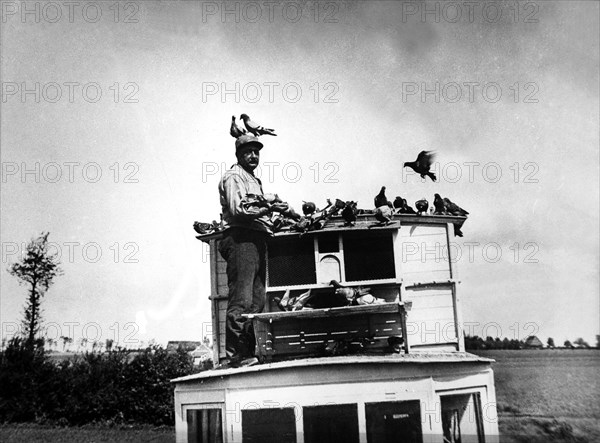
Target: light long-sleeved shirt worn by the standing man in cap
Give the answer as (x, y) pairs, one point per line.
(234, 187)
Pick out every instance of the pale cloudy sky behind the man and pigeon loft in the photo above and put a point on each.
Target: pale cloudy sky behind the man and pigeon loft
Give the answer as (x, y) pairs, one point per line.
(114, 132)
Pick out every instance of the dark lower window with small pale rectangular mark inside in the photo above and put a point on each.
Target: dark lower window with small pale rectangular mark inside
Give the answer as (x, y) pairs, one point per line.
(390, 422)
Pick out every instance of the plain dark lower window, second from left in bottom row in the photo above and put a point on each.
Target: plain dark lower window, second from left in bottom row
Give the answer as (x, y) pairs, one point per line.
(269, 425)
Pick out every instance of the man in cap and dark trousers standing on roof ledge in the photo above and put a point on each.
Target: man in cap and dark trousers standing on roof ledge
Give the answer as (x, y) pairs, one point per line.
(246, 218)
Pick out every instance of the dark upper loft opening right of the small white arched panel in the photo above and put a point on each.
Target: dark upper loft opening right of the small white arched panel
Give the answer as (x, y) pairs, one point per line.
(368, 255)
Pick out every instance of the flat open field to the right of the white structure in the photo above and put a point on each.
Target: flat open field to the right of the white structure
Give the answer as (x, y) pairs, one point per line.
(547, 395)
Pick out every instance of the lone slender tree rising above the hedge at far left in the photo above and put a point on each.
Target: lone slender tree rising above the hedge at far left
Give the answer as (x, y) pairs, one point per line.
(36, 269)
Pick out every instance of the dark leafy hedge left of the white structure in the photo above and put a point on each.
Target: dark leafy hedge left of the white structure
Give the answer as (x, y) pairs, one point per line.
(116, 387)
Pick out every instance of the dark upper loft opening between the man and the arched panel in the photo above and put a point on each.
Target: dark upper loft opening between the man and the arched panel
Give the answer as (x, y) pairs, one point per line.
(291, 261)
